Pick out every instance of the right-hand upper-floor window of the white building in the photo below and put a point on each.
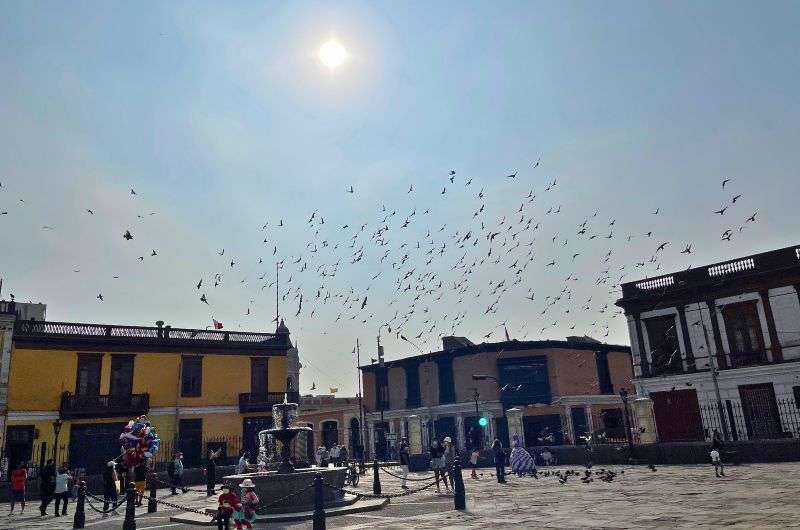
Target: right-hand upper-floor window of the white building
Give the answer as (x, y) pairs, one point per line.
(745, 338)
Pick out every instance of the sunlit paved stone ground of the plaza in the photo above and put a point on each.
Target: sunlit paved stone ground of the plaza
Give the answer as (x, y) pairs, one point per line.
(751, 496)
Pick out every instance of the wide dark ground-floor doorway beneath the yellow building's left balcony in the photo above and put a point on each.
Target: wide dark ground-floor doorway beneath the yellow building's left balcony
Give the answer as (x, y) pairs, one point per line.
(91, 445)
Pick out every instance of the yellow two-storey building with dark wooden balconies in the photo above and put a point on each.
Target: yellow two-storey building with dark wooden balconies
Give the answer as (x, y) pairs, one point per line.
(72, 386)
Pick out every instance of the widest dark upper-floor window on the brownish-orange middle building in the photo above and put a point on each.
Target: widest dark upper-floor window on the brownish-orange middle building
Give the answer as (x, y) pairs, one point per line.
(524, 381)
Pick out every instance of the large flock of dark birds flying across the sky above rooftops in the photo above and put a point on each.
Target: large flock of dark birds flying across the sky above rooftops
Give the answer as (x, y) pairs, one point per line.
(419, 277)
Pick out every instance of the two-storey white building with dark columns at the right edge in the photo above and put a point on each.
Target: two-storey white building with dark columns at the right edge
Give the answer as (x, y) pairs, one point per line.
(718, 347)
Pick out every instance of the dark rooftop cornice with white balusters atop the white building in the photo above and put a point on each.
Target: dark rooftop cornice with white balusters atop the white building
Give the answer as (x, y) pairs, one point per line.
(711, 275)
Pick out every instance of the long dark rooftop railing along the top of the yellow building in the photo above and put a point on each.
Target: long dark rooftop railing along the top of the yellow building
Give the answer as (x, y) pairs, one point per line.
(167, 335)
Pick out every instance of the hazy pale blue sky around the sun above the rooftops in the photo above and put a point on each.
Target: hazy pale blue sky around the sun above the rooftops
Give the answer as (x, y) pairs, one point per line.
(222, 119)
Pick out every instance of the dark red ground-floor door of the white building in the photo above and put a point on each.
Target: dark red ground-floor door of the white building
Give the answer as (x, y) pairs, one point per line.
(677, 416)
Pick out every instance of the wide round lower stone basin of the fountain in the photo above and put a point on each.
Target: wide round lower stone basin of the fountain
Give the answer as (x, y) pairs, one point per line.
(271, 486)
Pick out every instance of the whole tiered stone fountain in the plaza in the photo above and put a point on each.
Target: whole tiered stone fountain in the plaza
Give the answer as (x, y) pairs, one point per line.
(274, 485)
